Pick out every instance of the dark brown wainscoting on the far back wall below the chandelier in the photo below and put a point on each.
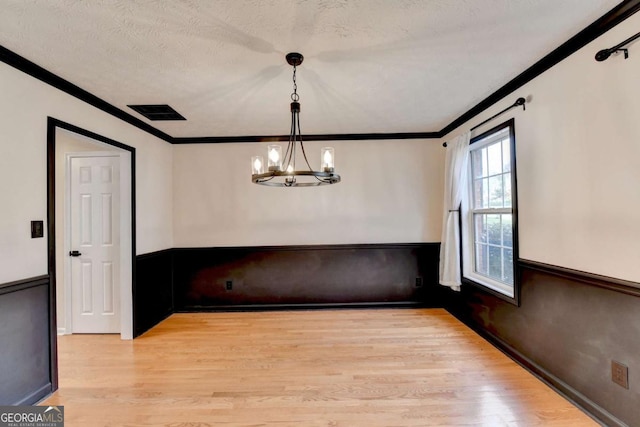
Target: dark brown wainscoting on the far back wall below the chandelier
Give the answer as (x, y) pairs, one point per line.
(305, 276)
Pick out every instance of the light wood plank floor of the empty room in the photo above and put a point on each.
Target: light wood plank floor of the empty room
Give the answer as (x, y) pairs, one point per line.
(384, 367)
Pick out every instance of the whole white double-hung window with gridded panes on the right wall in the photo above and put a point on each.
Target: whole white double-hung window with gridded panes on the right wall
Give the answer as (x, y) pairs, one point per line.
(489, 229)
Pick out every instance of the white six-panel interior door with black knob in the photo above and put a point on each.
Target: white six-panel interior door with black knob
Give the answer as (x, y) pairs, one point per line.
(95, 244)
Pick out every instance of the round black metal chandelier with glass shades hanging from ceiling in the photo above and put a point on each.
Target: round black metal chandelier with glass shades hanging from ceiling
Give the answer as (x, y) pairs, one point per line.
(281, 169)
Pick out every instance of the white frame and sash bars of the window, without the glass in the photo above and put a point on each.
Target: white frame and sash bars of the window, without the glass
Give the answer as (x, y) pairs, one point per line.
(500, 289)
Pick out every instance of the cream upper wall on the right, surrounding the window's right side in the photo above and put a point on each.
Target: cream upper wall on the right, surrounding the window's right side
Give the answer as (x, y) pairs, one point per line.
(578, 151)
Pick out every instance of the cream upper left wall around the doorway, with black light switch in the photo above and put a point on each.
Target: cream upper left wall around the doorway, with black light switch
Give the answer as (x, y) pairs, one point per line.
(24, 106)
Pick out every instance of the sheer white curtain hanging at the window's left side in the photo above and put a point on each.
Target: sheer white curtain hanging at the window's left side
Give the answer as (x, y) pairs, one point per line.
(455, 184)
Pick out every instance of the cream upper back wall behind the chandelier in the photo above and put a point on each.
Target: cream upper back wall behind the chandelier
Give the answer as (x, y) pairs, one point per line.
(391, 192)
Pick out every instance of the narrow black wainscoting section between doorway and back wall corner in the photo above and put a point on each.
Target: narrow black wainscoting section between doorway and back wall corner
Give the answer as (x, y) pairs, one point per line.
(152, 290)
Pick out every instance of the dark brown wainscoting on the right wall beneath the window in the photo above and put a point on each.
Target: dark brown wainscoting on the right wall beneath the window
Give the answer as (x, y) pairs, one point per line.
(568, 329)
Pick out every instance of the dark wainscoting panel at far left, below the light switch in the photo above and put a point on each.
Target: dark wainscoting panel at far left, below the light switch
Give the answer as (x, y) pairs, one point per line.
(25, 346)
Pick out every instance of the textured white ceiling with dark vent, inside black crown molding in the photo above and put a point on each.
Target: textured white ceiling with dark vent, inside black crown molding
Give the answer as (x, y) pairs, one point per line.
(370, 65)
